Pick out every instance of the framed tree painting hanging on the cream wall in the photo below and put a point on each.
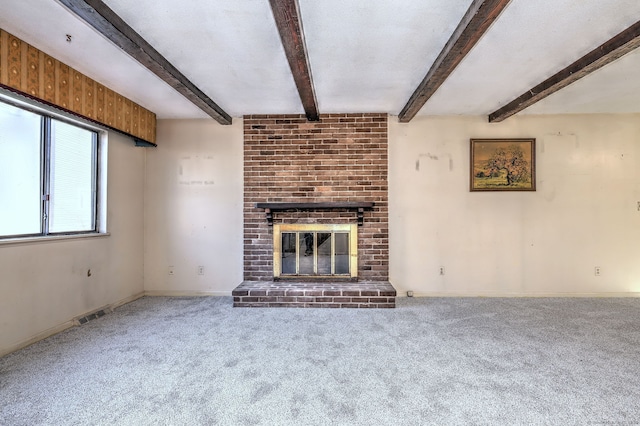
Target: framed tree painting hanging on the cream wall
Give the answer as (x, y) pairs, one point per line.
(503, 165)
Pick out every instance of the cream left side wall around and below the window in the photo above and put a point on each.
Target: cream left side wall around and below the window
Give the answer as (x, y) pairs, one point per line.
(44, 285)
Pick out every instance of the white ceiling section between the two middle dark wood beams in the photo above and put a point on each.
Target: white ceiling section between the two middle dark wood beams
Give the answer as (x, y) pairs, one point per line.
(370, 55)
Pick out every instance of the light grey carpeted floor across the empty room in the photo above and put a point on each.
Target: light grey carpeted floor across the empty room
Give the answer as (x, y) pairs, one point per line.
(462, 361)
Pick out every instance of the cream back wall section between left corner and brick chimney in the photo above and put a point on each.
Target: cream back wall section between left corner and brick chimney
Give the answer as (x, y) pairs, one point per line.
(193, 208)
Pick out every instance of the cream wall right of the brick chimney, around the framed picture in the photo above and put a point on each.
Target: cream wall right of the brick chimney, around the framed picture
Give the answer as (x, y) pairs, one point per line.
(584, 213)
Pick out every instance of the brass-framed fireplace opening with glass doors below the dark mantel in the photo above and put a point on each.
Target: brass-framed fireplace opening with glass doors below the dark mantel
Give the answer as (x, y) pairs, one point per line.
(315, 250)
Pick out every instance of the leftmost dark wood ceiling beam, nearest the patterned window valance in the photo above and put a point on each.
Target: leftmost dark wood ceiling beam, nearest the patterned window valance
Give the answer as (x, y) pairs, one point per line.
(110, 25)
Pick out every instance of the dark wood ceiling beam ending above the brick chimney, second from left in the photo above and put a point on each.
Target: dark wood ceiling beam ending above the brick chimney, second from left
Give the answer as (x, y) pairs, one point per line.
(287, 17)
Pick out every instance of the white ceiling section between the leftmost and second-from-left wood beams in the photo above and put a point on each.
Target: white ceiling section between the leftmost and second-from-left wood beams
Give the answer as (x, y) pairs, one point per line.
(230, 49)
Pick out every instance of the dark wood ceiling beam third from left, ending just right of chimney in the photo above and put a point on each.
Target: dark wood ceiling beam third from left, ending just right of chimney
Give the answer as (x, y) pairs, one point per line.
(479, 17)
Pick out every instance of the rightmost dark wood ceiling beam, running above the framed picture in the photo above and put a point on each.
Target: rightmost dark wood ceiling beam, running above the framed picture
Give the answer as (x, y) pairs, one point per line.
(602, 55)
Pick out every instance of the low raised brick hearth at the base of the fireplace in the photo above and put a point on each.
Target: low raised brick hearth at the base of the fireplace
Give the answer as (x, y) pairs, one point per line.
(267, 294)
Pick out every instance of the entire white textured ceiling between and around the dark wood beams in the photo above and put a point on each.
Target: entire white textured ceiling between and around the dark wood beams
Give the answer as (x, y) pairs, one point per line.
(365, 55)
